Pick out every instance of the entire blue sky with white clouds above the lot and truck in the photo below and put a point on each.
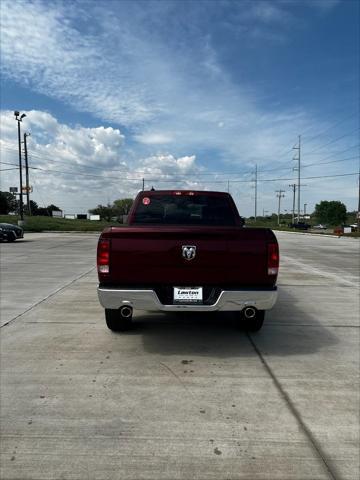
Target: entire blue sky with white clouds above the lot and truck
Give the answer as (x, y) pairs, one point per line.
(185, 94)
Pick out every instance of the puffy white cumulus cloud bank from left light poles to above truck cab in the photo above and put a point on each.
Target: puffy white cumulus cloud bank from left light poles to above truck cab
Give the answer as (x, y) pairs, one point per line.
(77, 167)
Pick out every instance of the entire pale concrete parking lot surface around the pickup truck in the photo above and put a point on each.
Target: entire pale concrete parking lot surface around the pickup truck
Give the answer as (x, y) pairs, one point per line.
(181, 396)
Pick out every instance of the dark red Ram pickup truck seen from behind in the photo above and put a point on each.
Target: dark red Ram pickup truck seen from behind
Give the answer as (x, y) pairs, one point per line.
(186, 251)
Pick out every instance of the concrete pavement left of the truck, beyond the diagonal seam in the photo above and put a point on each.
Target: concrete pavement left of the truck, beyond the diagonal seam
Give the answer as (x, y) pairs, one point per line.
(39, 265)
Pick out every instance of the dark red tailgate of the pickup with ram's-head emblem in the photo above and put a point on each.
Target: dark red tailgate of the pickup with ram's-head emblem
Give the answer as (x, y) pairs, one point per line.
(227, 256)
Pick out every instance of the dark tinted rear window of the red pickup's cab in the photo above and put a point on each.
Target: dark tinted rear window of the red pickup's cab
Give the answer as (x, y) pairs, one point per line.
(185, 210)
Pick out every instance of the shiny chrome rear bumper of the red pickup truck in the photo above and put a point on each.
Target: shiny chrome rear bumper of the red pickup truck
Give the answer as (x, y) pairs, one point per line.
(229, 300)
